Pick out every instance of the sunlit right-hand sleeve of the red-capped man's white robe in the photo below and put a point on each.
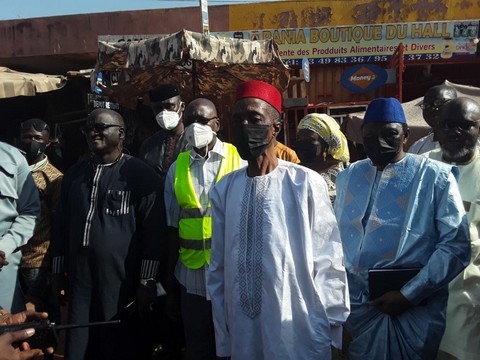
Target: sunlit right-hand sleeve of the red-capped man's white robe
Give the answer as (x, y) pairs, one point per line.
(329, 273)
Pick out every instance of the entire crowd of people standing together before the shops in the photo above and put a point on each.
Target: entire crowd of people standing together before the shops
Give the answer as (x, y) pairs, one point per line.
(209, 250)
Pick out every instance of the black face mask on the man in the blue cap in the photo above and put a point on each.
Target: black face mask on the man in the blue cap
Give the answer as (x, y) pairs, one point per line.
(382, 151)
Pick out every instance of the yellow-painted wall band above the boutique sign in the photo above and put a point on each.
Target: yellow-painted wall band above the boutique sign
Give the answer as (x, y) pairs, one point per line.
(312, 13)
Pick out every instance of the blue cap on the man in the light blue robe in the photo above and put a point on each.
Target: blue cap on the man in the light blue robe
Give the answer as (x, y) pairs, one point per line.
(384, 110)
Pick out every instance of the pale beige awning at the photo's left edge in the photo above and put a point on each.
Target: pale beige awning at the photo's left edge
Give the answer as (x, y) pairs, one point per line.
(15, 83)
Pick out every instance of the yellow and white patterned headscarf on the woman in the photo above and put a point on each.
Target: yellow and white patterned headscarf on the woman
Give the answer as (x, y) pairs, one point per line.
(328, 129)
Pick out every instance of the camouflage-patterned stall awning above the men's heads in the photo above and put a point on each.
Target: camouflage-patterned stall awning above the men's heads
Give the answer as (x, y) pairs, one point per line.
(203, 65)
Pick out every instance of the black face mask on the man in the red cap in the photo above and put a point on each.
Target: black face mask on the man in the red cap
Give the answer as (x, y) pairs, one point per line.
(250, 140)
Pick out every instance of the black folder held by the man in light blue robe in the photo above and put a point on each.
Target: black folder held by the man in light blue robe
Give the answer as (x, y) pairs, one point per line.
(381, 281)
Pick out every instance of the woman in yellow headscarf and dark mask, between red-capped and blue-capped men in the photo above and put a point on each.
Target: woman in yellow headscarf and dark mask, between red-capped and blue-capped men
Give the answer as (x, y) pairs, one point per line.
(322, 147)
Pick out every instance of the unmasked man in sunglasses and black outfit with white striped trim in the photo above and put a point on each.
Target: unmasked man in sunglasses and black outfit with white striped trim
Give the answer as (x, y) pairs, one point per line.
(109, 240)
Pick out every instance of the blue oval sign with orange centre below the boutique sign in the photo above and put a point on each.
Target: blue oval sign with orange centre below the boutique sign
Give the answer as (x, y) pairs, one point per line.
(364, 78)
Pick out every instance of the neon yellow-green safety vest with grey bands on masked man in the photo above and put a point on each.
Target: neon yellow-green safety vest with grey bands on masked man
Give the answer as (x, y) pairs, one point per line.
(195, 224)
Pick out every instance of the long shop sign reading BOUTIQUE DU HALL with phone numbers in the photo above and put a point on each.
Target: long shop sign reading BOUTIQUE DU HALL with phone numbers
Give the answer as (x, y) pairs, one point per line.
(372, 43)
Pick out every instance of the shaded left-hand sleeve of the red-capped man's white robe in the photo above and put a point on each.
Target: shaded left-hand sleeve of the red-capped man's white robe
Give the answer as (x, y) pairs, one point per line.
(216, 276)
